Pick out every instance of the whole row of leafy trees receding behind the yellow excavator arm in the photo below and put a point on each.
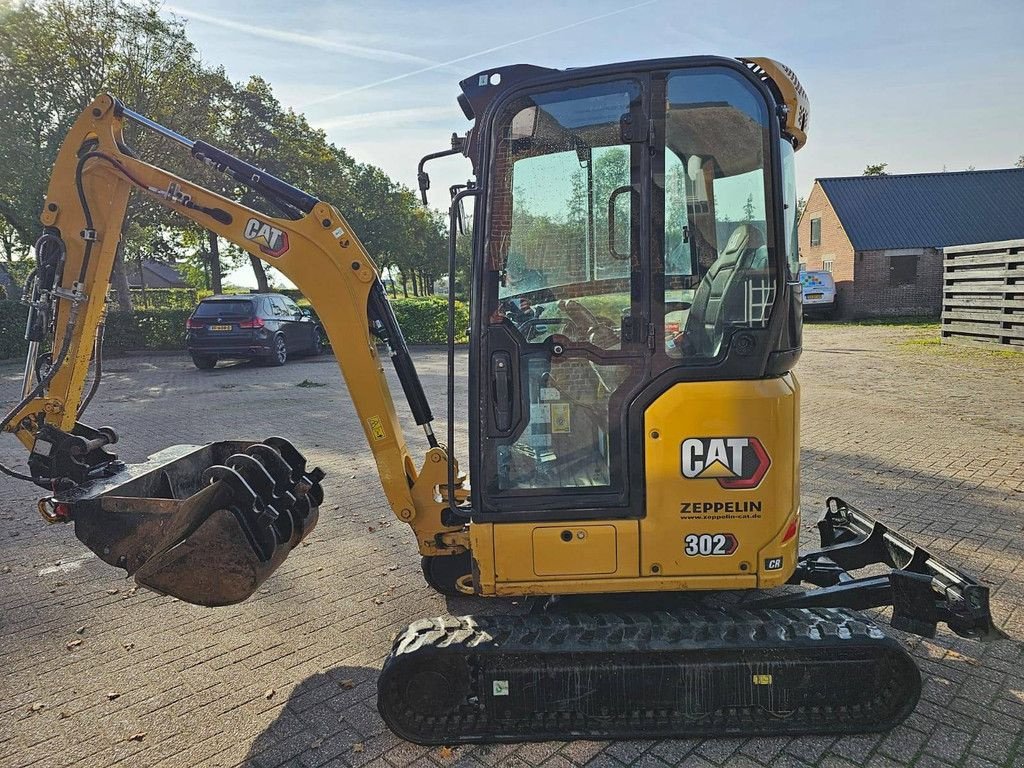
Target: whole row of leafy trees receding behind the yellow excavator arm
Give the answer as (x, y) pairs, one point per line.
(56, 57)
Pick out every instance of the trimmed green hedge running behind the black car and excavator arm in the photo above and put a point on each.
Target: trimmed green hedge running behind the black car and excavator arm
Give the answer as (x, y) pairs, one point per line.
(423, 321)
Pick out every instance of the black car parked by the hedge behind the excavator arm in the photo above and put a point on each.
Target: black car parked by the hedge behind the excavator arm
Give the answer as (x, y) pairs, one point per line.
(267, 328)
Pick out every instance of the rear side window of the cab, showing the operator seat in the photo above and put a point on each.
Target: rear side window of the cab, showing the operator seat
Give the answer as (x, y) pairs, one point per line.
(717, 274)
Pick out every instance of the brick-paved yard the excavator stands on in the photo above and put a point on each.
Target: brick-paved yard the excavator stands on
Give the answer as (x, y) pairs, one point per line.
(930, 440)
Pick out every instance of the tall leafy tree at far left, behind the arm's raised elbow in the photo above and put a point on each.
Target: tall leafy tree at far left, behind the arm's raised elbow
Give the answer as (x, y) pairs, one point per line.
(55, 59)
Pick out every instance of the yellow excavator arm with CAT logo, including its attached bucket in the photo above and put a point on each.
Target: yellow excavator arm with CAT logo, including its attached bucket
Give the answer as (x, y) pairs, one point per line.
(191, 516)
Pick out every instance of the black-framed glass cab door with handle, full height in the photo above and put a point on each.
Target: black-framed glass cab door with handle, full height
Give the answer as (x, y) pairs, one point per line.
(565, 343)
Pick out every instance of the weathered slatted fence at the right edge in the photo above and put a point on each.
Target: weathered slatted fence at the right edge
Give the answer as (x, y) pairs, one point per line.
(984, 294)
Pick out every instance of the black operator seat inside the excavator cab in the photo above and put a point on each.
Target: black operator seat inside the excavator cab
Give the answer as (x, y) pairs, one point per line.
(720, 296)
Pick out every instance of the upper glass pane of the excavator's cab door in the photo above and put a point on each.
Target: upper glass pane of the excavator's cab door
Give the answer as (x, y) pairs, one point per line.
(563, 227)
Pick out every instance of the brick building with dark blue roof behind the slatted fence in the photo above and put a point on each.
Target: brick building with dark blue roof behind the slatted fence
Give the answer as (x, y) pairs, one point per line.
(882, 237)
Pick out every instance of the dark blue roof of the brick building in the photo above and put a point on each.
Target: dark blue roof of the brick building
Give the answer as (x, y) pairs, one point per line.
(929, 210)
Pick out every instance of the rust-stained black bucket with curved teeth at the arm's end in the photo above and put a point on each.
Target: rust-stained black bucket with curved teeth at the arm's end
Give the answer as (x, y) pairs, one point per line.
(207, 525)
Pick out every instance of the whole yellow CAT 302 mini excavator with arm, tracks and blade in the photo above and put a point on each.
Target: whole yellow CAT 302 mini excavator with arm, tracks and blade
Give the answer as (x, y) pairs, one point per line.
(634, 419)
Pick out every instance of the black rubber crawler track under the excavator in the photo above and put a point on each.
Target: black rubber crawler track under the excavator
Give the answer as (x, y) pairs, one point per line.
(436, 688)
